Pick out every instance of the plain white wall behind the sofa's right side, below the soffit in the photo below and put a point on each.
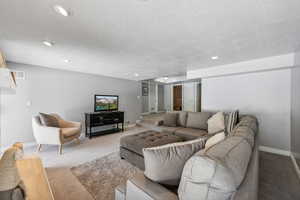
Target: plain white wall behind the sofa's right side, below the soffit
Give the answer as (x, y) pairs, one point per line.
(266, 95)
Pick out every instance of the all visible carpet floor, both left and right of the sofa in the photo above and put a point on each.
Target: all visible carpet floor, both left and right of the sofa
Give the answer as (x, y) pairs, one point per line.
(278, 179)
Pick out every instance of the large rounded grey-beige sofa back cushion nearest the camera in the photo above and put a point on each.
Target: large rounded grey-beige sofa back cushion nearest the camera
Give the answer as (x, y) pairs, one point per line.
(216, 173)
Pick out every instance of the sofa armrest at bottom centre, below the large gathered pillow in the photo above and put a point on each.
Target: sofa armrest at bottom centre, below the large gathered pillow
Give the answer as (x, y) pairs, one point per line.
(142, 188)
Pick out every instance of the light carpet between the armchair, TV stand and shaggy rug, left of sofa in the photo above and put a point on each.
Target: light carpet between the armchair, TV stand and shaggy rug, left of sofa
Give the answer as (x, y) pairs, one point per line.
(65, 186)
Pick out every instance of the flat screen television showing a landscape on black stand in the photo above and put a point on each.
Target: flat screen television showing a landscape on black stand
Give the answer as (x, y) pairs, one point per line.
(106, 103)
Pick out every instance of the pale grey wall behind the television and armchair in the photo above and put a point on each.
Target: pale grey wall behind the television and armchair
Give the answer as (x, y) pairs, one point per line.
(68, 93)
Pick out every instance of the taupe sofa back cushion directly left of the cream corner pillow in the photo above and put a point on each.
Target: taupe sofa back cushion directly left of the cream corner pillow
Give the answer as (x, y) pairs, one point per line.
(198, 120)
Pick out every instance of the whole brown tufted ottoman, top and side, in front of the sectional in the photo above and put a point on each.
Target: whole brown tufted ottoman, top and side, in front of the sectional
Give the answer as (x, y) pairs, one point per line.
(131, 146)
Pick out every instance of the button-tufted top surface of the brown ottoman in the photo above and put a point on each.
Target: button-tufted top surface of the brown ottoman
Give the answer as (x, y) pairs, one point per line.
(147, 139)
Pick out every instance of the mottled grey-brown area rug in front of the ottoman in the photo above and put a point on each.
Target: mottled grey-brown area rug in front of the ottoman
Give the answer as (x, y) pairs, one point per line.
(100, 177)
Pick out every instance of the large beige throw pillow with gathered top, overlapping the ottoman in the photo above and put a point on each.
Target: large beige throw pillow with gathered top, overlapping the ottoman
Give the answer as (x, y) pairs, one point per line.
(164, 164)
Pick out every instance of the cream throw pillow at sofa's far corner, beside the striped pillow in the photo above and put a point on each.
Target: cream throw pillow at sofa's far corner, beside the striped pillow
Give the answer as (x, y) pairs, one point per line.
(216, 123)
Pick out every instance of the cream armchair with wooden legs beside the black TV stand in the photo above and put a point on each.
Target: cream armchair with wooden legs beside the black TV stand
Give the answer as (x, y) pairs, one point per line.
(66, 132)
